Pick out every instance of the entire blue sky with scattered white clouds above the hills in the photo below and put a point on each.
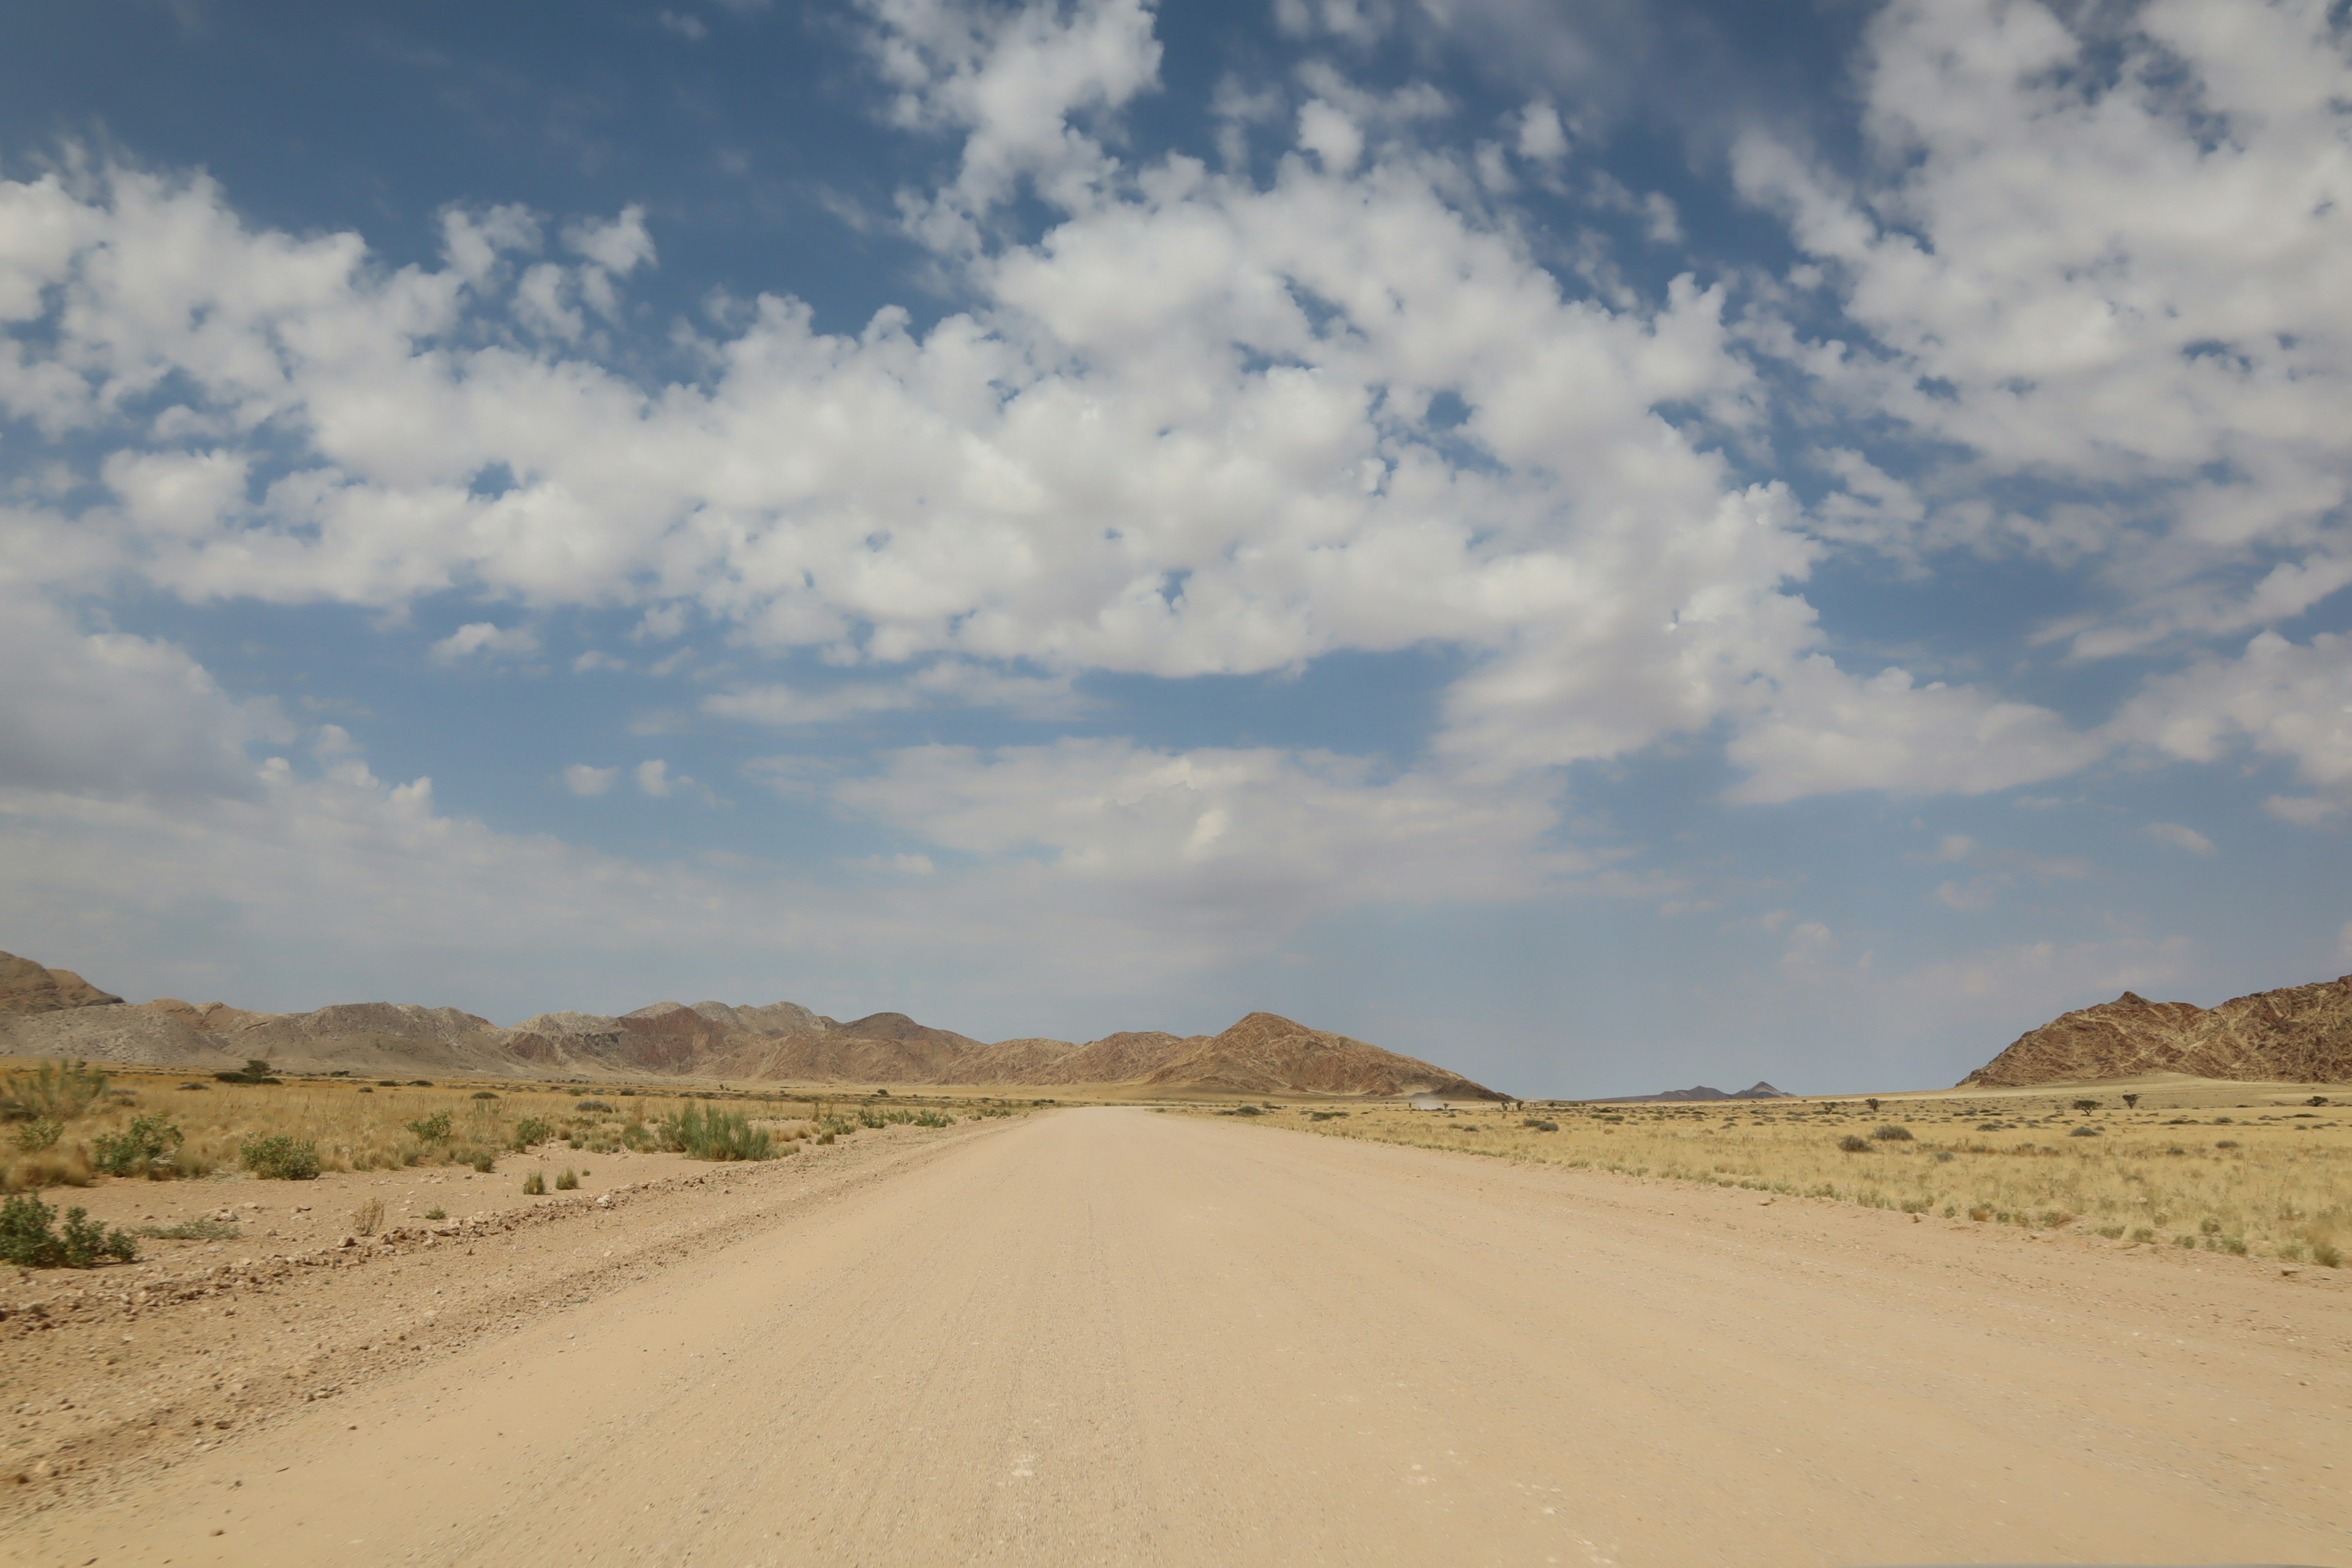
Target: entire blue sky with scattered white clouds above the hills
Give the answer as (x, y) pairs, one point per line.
(1601, 544)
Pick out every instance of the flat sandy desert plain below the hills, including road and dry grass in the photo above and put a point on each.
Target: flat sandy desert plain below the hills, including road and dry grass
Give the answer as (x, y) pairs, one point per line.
(1212, 1332)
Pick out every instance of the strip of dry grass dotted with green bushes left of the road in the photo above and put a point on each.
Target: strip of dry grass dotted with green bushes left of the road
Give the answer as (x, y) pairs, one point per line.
(69, 1123)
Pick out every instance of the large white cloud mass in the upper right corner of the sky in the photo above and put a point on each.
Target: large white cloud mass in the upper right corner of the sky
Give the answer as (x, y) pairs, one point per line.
(2099, 253)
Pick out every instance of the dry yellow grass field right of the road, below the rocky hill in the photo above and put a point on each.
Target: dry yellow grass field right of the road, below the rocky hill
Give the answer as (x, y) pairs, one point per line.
(2247, 1167)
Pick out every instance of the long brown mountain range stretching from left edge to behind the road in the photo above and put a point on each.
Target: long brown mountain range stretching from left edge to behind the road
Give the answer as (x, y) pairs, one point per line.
(53, 1012)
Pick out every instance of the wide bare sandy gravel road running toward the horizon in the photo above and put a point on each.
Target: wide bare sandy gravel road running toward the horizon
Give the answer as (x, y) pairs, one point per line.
(1114, 1336)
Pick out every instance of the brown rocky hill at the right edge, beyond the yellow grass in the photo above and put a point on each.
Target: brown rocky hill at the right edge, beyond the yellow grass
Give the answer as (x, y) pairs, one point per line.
(2294, 1036)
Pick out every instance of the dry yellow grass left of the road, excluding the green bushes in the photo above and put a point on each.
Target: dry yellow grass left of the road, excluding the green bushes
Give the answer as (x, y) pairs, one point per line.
(361, 1125)
